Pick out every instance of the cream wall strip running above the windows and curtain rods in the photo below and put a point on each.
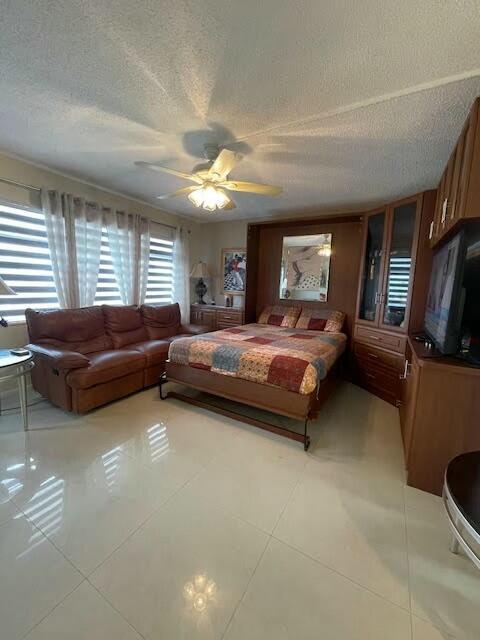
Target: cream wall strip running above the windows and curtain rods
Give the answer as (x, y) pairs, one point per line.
(15, 335)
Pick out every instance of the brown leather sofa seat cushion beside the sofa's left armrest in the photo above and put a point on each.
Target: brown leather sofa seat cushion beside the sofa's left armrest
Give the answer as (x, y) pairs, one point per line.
(105, 366)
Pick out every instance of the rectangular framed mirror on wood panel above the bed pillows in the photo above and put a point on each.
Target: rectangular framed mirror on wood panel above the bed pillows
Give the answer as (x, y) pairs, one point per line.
(305, 267)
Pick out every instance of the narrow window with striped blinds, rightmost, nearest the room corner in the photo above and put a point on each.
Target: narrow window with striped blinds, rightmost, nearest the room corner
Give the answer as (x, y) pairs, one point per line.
(160, 267)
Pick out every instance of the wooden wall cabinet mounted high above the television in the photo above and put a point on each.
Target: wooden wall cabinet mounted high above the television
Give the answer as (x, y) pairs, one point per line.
(458, 194)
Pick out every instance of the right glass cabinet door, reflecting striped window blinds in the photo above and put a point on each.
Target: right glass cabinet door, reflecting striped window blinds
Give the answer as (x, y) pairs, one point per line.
(399, 265)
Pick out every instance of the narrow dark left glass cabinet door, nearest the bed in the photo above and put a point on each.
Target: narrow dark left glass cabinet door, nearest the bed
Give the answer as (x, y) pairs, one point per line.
(372, 268)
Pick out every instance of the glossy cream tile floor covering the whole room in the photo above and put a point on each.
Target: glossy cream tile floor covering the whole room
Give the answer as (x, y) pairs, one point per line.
(114, 526)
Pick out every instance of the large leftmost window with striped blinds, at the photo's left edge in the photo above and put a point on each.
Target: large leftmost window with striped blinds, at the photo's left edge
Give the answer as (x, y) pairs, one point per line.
(25, 263)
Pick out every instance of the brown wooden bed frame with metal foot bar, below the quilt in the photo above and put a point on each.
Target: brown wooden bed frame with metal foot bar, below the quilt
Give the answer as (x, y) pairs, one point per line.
(274, 399)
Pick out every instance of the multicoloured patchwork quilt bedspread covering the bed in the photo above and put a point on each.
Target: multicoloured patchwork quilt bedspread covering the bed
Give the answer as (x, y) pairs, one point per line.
(293, 359)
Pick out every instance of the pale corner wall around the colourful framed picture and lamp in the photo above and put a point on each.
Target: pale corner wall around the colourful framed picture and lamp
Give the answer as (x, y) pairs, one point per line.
(214, 237)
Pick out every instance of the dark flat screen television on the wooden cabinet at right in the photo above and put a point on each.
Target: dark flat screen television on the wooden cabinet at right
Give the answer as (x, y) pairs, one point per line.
(443, 316)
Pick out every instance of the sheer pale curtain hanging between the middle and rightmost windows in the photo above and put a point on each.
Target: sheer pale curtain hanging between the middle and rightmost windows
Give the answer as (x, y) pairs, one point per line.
(128, 239)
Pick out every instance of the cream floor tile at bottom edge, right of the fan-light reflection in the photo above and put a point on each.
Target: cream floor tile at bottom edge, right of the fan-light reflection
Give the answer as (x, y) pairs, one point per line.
(292, 597)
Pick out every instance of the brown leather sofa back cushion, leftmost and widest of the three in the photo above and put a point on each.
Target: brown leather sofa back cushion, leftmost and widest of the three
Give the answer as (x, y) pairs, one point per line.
(81, 330)
